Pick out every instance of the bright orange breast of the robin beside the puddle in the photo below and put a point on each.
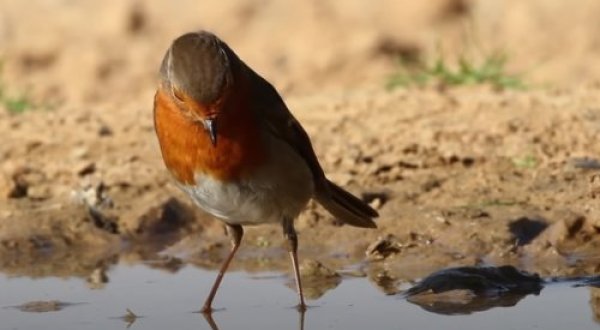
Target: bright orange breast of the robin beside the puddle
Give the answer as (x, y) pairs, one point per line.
(186, 147)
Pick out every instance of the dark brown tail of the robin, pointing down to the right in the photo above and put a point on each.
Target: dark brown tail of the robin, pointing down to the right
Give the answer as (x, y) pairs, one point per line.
(345, 206)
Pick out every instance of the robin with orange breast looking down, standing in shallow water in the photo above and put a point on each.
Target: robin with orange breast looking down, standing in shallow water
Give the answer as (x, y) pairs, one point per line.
(232, 145)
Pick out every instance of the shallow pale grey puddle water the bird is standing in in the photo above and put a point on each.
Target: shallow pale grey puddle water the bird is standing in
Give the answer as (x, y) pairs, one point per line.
(166, 301)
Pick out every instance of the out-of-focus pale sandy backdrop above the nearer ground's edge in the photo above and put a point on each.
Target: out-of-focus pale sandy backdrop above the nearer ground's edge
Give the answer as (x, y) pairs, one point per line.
(59, 51)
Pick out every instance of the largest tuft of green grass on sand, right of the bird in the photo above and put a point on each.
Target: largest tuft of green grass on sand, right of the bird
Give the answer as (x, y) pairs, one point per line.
(492, 70)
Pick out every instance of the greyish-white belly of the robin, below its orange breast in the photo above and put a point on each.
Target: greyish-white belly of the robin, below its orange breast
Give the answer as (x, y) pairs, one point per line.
(279, 189)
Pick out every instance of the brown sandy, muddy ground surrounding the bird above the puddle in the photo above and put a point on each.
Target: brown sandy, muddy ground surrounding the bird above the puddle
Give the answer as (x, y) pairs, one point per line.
(465, 175)
